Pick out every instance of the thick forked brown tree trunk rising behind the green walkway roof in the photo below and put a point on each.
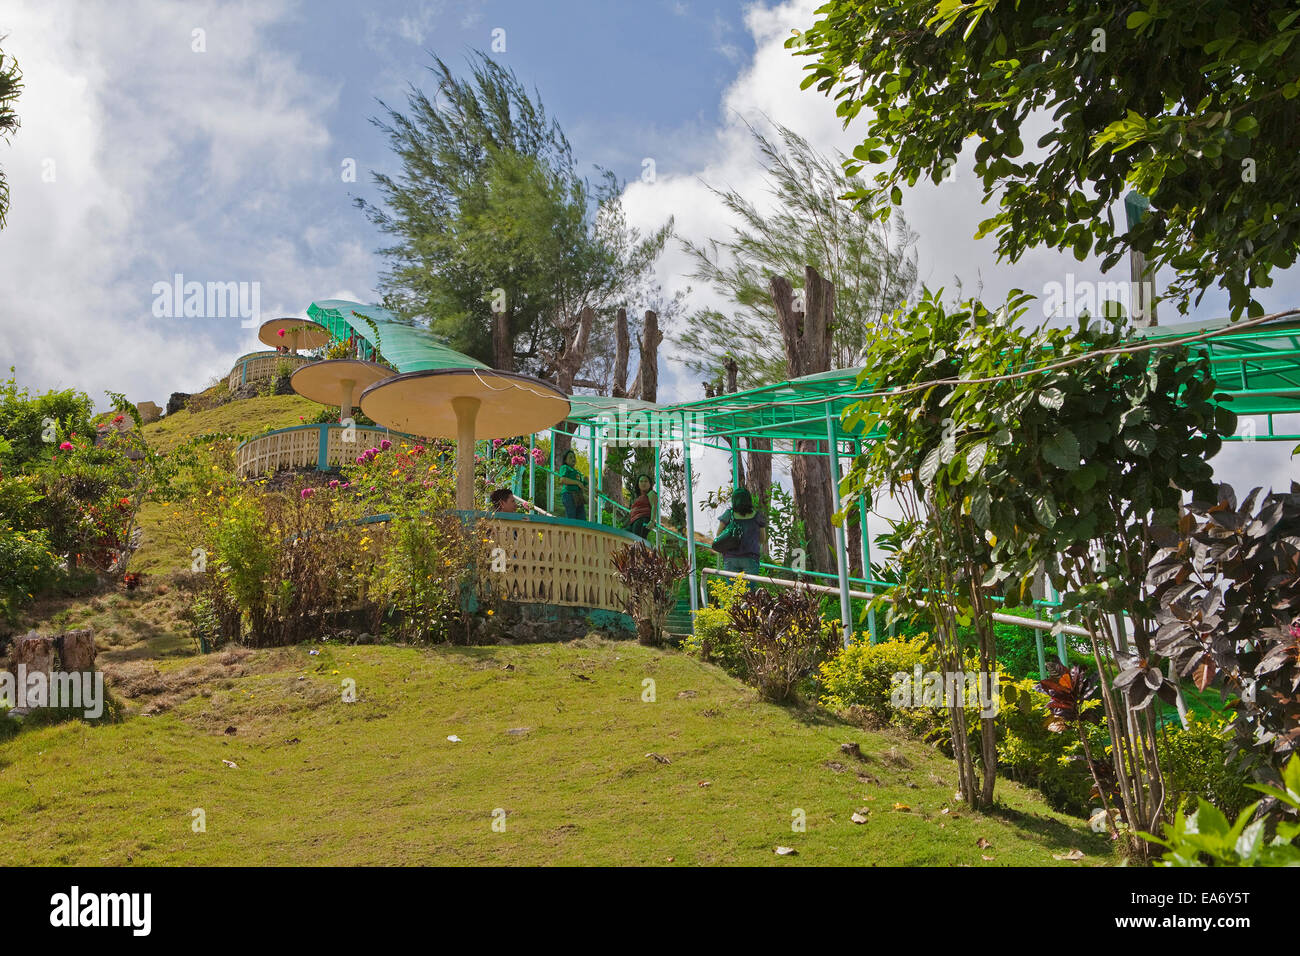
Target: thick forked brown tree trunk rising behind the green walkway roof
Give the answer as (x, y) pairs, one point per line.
(808, 351)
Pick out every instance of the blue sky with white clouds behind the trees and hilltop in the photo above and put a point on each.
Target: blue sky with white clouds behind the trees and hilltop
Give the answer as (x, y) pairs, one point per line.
(216, 141)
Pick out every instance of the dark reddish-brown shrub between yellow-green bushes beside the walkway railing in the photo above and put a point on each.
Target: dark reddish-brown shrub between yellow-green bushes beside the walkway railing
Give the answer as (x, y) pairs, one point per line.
(783, 638)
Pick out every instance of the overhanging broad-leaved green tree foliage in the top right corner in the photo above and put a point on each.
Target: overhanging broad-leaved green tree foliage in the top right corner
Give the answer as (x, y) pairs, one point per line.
(1190, 105)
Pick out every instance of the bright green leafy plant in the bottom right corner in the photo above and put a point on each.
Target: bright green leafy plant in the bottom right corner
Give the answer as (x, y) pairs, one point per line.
(1206, 838)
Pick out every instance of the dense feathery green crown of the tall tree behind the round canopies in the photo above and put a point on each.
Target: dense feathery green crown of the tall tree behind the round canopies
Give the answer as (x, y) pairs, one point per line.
(495, 231)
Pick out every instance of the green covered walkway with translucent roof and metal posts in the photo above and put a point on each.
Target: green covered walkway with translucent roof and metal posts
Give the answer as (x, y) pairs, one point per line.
(1258, 370)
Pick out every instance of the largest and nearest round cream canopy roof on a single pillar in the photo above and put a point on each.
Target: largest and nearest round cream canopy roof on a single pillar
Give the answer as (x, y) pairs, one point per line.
(421, 403)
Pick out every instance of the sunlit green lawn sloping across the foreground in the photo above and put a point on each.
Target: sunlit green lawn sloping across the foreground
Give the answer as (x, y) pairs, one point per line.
(557, 736)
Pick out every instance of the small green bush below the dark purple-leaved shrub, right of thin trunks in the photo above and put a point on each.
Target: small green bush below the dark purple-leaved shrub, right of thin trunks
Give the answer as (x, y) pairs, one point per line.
(1198, 765)
